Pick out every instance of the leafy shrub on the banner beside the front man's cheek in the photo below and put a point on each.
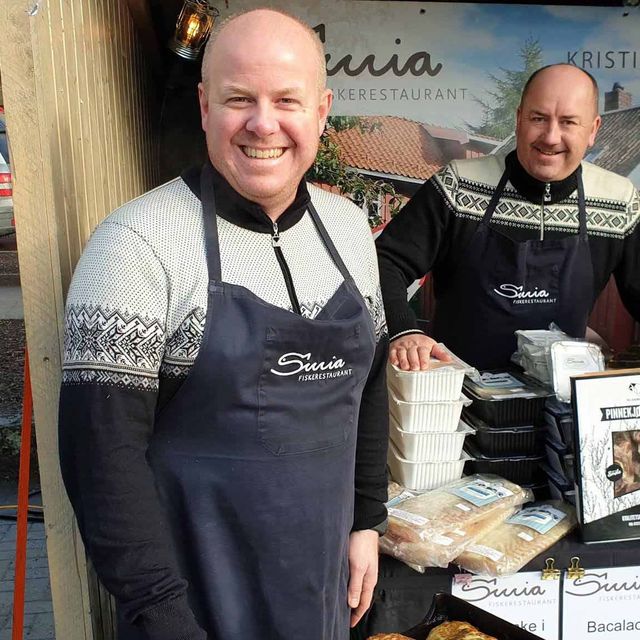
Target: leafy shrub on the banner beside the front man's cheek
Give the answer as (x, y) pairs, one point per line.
(331, 170)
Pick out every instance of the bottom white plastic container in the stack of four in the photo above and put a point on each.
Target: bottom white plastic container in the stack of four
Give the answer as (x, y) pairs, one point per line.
(423, 476)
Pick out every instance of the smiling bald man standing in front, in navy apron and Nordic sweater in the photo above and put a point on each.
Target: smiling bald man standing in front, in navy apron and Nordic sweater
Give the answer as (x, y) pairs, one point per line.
(220, 491)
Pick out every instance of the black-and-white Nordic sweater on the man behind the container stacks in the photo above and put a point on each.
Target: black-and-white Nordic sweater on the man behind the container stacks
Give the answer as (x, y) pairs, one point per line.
(431, 231)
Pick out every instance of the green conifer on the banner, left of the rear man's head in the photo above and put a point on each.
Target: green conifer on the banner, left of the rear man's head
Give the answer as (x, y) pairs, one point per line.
(499, 112)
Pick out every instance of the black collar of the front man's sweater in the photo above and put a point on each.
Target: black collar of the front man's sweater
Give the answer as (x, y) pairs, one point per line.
(236, 209)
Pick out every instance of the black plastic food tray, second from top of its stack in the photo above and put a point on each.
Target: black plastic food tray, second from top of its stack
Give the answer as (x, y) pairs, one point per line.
(505, 441)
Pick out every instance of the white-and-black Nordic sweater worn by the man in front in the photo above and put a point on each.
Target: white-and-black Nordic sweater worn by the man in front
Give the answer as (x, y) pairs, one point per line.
(133, 325)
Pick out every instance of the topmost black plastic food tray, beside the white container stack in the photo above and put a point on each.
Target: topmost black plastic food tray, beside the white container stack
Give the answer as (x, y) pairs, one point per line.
(509, 411)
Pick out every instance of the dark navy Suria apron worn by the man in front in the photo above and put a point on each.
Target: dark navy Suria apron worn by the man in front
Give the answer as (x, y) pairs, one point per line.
(254, 457)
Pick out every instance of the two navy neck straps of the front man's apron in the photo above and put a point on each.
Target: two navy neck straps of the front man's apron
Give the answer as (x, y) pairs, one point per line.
(212, 246)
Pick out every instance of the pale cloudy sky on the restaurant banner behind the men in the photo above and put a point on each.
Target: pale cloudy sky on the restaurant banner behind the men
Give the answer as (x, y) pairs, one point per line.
(430, 61)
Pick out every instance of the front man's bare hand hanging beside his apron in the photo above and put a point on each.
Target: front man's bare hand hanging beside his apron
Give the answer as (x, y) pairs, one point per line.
(363, 571)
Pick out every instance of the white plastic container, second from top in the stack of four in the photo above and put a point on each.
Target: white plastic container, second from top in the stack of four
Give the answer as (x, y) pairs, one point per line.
(427, 416)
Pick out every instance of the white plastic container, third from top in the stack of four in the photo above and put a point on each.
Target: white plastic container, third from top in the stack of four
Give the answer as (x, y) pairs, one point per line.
(432, 446)
